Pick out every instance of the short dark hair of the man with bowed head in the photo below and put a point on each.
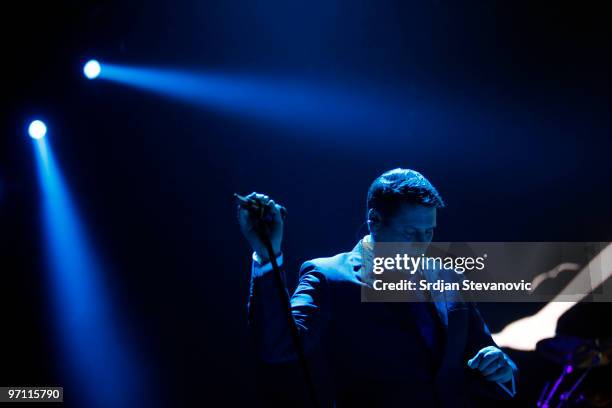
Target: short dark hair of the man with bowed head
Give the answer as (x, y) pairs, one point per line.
(401, 186)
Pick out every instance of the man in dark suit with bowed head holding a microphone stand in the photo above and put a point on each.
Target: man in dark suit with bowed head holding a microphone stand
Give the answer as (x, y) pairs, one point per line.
(410, 354)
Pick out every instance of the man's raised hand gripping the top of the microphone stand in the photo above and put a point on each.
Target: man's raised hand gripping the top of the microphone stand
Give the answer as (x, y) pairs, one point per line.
(248, 224)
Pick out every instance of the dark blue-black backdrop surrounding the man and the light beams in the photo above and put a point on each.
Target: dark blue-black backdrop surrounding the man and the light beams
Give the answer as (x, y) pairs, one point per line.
(514, 130)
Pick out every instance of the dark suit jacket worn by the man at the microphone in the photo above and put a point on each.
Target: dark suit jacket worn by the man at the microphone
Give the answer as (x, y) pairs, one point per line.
(372, 353)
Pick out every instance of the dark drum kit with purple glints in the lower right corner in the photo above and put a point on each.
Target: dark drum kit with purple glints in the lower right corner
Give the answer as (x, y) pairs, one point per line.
(578, 358)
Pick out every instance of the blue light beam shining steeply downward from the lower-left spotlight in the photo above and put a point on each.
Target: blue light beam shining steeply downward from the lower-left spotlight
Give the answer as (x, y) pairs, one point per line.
(100, 367)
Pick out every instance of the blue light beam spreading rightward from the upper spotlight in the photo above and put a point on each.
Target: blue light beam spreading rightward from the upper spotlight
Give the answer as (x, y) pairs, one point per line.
(294, 103)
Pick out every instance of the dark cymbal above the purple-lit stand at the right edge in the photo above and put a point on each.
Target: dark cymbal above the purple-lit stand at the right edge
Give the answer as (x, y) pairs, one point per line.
(577, 352)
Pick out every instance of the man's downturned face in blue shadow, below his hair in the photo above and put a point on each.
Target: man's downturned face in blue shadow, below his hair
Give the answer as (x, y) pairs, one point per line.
(411, 223)
